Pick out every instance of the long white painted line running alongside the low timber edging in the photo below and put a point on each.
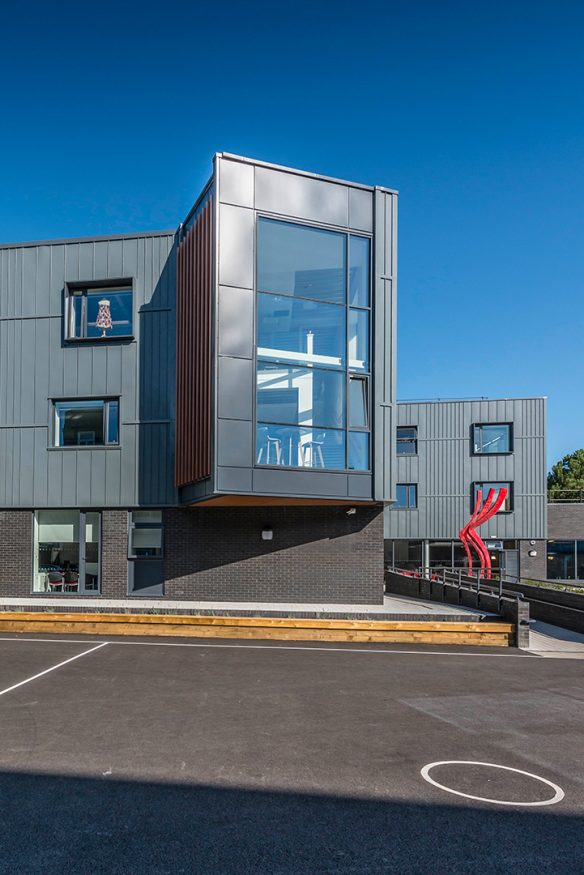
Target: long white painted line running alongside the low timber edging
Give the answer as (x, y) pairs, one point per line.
(325, 649)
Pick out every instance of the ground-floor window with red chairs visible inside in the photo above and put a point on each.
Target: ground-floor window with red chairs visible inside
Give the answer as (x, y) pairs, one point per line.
(67, 548)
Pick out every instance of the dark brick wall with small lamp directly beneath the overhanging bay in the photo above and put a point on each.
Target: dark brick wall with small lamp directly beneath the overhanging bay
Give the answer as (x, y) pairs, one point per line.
(317, 554)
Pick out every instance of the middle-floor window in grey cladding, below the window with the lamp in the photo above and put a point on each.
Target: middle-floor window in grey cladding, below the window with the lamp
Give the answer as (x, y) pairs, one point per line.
(87, 423)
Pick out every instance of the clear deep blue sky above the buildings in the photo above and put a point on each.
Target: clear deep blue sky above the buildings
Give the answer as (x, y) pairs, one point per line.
(474, 111)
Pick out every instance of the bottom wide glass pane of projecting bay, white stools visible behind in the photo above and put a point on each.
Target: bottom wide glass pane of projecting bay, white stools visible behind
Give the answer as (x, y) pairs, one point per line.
(299, 447)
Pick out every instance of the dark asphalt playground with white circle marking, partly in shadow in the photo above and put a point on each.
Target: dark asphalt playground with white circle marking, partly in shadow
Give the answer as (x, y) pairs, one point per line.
(165, 756)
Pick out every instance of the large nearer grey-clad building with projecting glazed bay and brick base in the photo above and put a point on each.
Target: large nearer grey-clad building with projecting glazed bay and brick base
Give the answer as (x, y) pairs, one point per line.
(204, 413)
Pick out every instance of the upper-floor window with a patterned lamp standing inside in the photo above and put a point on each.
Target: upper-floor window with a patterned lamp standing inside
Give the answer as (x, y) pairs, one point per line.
(99, 312)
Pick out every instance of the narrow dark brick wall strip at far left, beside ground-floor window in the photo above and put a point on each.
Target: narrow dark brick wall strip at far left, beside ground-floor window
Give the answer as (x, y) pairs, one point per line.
(16, 541)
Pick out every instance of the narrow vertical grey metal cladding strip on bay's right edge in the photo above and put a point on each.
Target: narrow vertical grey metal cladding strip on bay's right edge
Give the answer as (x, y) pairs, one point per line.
(384, 346)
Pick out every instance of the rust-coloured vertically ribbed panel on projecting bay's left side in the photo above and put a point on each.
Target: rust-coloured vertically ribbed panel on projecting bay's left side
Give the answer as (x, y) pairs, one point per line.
(193, 356)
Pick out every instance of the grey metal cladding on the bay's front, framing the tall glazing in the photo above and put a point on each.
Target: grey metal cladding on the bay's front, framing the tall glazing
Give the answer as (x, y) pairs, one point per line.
(298, 197)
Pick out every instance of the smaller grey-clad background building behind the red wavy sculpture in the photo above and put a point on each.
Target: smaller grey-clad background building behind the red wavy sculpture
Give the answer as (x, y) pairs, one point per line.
(446, 451)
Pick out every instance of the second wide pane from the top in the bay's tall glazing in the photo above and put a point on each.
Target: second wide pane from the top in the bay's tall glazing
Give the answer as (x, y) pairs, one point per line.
(305, 332)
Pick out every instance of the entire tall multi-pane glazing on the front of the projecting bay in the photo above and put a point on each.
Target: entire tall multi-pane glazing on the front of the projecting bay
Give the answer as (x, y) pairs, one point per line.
(312, 347)
